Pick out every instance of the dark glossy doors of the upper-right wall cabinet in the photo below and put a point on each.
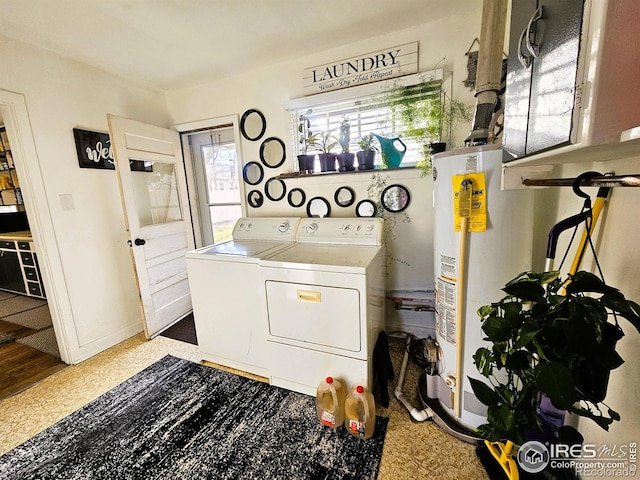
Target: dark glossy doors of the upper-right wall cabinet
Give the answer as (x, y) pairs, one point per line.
(544, 45)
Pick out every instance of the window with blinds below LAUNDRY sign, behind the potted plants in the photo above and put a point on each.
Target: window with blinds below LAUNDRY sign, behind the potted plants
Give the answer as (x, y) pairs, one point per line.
(374, 108)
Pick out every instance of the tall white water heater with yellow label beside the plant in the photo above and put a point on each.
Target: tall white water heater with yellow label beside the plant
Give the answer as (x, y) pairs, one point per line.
(471, 267)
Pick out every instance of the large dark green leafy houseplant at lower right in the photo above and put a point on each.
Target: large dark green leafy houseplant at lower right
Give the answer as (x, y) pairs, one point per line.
(554, 338)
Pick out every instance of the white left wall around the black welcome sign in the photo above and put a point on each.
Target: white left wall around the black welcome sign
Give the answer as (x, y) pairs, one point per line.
(97, 306)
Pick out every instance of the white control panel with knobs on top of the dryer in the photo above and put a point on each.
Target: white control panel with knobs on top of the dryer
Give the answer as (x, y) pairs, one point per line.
(346, 231)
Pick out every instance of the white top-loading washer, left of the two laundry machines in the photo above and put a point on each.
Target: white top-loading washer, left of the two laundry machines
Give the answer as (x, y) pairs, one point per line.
(228, 306)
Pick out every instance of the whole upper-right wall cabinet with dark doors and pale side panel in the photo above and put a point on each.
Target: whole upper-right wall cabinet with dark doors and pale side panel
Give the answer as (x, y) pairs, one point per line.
(572, 90)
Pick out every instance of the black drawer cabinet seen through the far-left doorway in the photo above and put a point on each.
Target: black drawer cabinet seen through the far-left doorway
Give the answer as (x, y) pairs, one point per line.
(19, 270)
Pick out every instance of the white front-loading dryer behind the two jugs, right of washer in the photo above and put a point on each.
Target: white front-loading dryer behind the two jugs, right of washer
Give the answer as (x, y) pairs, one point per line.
(325, 303)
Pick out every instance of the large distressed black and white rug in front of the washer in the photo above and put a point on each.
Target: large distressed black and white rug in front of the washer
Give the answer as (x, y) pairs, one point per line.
(181, 420)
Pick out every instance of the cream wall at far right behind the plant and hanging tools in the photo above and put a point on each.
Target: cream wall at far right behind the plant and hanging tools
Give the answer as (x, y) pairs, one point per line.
(616, 238)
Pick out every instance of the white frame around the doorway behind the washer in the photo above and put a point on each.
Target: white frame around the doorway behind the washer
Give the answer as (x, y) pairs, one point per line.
(194, 202)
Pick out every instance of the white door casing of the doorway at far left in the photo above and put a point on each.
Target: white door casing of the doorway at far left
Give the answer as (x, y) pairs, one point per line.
(16, 119)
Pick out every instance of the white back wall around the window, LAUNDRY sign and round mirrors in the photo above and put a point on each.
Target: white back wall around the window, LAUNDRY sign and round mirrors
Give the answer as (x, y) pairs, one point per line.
(441, 44)
